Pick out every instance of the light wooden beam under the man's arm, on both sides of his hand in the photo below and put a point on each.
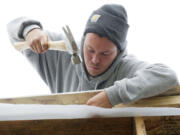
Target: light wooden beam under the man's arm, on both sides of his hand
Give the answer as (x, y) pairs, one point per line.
(162, 100)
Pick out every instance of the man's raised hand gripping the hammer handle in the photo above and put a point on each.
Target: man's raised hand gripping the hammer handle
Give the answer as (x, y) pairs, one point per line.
(37, 40)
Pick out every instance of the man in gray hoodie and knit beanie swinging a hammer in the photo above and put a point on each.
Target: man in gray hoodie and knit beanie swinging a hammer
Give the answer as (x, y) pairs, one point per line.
(106, 64)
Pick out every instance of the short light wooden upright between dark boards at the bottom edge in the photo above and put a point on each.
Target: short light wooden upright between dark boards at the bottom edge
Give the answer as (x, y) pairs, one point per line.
(140, 126)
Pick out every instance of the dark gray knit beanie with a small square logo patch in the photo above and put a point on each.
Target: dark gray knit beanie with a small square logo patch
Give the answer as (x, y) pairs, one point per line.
(109, 21)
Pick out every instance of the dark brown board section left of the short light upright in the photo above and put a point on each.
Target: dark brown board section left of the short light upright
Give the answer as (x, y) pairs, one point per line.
(93, 126)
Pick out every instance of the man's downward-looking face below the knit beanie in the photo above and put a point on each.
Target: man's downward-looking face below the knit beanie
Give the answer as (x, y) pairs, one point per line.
(99, 53)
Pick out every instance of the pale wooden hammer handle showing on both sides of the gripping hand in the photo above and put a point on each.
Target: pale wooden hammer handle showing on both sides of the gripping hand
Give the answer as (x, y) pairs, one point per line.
(53, 45)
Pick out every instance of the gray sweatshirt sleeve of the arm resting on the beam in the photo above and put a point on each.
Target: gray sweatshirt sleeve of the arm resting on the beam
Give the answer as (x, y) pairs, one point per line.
(142, 80)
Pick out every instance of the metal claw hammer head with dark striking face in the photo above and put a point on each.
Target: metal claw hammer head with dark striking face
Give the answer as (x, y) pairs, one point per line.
(76, 58)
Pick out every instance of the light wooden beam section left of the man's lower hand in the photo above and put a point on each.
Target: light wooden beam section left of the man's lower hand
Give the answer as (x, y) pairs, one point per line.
(62, 98)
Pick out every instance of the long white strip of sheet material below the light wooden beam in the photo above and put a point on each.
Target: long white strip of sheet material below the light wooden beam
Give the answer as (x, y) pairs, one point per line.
(38, 111)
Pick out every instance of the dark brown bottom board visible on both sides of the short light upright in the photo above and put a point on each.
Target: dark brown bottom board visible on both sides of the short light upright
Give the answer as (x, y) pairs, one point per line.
(166, 125)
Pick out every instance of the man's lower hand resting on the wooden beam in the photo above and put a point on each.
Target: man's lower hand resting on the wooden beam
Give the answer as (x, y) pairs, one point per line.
(100, 100)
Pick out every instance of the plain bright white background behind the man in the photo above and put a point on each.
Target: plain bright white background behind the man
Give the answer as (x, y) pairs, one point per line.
(153, 35)
